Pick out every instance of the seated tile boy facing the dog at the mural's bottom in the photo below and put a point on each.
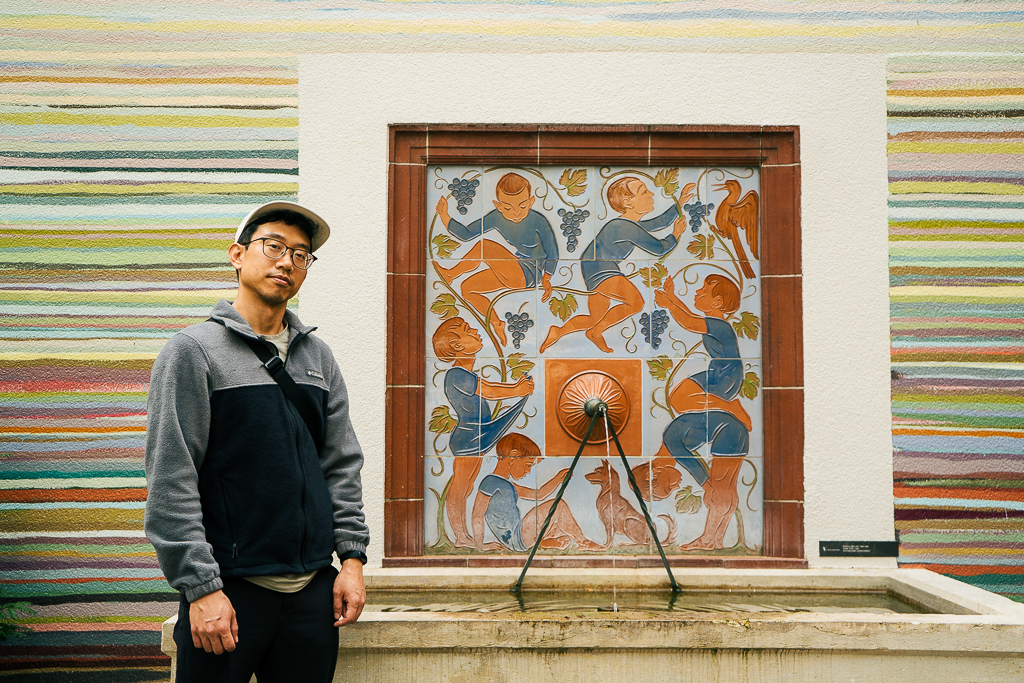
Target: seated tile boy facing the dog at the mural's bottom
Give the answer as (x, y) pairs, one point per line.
(497, 504)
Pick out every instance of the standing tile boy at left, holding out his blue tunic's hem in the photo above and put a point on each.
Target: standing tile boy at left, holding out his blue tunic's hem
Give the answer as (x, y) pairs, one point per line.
(478, 430)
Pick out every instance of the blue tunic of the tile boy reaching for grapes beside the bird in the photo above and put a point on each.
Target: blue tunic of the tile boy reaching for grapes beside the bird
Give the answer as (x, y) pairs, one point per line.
(617, 241)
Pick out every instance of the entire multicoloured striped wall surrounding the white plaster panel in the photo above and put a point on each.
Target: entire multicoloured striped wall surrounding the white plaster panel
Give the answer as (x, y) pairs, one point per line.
(133, 136)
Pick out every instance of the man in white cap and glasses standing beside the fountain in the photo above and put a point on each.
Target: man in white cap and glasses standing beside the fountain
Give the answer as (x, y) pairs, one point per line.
(248, 495)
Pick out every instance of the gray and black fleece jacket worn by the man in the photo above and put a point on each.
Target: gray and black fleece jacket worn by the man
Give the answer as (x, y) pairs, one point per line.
(236, 485)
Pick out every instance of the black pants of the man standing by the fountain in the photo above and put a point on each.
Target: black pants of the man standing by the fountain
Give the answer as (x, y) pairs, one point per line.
(283, 637)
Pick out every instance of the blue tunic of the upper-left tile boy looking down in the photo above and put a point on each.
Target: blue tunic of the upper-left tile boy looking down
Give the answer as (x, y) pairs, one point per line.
(533, 239)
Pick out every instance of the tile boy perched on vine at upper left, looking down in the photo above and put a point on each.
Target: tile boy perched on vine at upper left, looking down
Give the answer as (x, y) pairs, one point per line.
(527, 231)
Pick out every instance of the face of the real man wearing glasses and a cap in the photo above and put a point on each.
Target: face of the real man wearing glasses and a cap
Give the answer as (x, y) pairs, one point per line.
(275, 282)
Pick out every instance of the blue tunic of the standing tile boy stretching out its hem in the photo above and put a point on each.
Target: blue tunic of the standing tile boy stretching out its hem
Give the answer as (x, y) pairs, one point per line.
(476, 432)
